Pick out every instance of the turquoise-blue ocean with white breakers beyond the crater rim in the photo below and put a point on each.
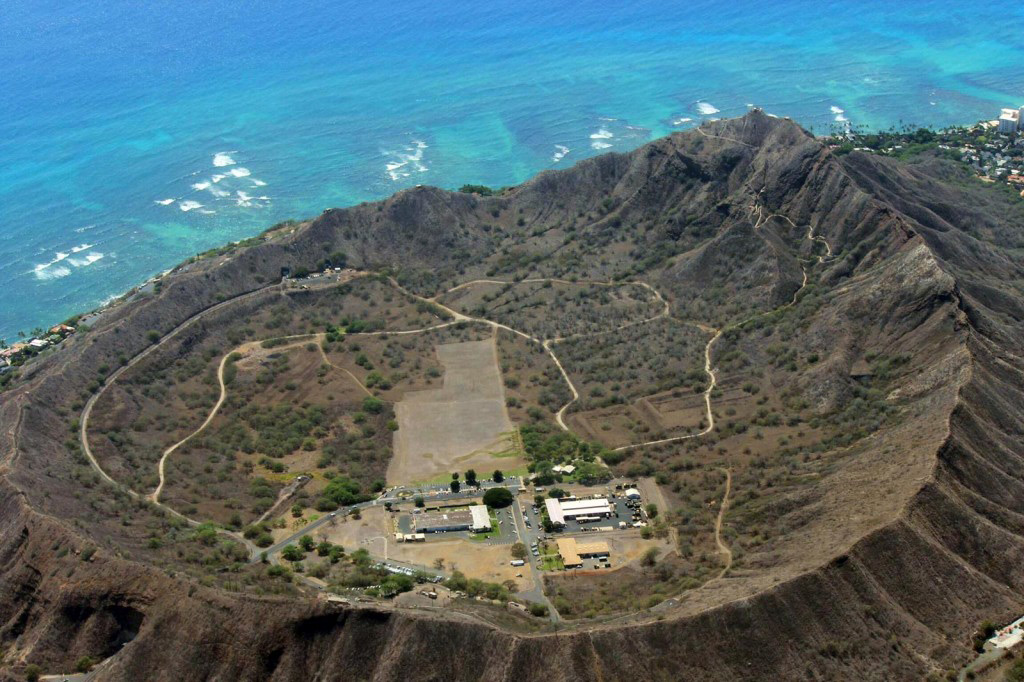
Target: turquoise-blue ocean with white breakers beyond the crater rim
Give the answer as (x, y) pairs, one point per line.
(111, 108)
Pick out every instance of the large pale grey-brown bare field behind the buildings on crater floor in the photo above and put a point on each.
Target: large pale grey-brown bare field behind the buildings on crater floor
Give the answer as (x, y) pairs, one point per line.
(464, 424)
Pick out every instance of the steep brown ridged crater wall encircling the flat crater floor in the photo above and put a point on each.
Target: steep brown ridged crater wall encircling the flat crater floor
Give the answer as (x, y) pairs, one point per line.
(924, 264)
